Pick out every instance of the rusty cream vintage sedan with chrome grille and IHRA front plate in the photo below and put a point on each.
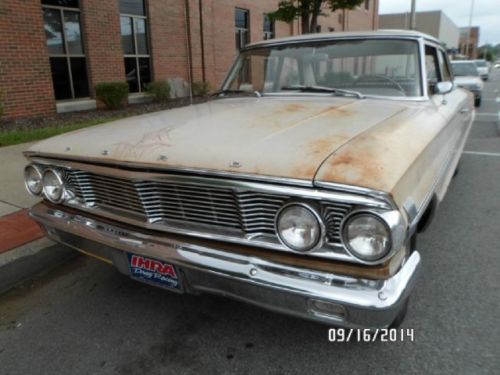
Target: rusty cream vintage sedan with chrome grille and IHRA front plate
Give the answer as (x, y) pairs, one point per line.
(301, 187)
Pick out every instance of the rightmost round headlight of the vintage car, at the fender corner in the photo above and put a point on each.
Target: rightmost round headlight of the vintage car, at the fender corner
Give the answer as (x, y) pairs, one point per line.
(367, 237)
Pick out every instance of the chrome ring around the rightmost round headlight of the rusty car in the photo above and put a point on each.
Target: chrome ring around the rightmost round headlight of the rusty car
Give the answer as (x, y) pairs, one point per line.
(378, 216)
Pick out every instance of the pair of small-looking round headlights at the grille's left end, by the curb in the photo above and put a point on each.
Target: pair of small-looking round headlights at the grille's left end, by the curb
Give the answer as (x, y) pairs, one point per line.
(47, 181)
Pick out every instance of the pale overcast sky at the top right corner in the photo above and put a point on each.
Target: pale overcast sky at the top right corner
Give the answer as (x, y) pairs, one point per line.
(486, 14)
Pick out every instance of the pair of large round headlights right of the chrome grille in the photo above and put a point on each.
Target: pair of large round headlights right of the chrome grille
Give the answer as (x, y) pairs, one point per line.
(365, 235)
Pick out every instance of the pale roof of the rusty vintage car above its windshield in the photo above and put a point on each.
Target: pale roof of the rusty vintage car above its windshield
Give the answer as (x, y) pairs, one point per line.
(396, 34)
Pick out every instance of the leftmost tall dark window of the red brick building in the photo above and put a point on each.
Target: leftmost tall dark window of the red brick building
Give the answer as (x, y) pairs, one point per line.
(65, 45)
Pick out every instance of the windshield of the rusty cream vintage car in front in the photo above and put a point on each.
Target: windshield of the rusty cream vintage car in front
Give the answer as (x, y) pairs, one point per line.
(370, 67)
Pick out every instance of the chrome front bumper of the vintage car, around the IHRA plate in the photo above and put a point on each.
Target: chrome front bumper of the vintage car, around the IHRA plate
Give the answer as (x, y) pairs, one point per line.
(317, 295)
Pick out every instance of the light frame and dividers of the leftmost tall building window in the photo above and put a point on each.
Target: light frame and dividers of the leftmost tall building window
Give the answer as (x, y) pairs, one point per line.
(67, 55)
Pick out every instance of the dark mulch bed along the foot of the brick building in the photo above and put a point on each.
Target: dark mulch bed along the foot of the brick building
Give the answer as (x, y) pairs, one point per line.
(65, 119)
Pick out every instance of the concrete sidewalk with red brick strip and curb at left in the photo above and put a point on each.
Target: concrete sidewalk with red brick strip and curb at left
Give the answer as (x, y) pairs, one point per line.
(24, 251)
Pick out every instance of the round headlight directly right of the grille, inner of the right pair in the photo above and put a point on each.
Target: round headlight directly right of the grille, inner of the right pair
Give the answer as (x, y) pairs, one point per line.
(299, 227)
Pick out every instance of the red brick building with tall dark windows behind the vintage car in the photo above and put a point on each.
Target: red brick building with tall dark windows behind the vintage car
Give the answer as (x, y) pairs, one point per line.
(54, 52)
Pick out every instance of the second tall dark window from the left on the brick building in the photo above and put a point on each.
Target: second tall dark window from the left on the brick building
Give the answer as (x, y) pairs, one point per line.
(135, 44)
